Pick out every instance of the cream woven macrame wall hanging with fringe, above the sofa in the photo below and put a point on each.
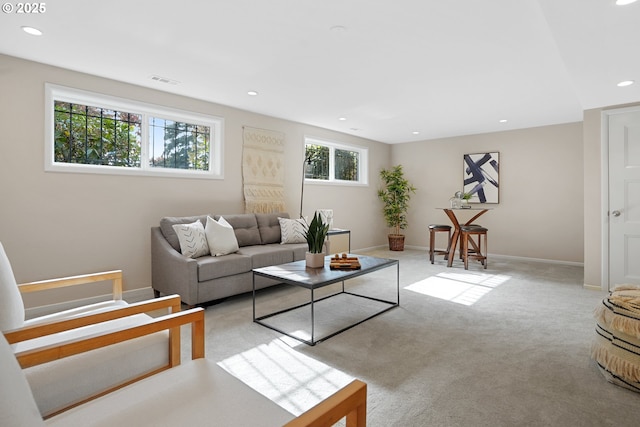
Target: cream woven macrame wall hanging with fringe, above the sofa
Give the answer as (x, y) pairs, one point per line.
(263, 170)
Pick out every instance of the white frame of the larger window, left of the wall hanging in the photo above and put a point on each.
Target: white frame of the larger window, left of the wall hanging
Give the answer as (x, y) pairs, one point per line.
(77, 96)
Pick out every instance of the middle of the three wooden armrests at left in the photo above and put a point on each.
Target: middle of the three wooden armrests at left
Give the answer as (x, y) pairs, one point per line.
(170, 302)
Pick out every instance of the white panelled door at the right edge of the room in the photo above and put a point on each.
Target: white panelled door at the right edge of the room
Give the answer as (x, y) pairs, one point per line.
(624, 198)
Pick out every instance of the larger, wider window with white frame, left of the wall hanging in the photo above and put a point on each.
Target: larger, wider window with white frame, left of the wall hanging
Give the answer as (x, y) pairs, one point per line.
(89, 132)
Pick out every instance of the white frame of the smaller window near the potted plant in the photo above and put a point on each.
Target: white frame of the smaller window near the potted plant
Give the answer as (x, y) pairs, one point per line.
(363, 163)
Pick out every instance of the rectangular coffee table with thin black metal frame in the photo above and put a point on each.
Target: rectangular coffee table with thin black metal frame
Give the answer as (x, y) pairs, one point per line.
(297, 274)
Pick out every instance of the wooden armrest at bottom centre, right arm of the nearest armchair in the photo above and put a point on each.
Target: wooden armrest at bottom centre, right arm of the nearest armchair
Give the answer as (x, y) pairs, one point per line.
(350, 401)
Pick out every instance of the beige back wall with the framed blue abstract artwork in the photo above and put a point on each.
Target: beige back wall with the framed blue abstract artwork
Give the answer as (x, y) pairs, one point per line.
(541, 189)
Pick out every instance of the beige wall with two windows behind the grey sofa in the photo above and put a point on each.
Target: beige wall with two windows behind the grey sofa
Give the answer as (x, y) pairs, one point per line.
(58, 224)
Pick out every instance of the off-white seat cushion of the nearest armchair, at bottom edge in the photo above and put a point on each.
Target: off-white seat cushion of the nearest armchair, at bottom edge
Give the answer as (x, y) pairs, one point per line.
(197, 393)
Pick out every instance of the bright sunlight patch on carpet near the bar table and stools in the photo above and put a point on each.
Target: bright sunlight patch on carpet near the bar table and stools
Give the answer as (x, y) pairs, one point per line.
(462, 288)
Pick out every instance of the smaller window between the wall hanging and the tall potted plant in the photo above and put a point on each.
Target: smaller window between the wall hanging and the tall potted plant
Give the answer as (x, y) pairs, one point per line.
(333, 162)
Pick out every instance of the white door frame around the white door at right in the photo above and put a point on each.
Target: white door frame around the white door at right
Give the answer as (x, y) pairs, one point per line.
(604, 195)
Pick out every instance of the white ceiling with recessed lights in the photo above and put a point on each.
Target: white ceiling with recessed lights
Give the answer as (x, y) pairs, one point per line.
(442, 68)
